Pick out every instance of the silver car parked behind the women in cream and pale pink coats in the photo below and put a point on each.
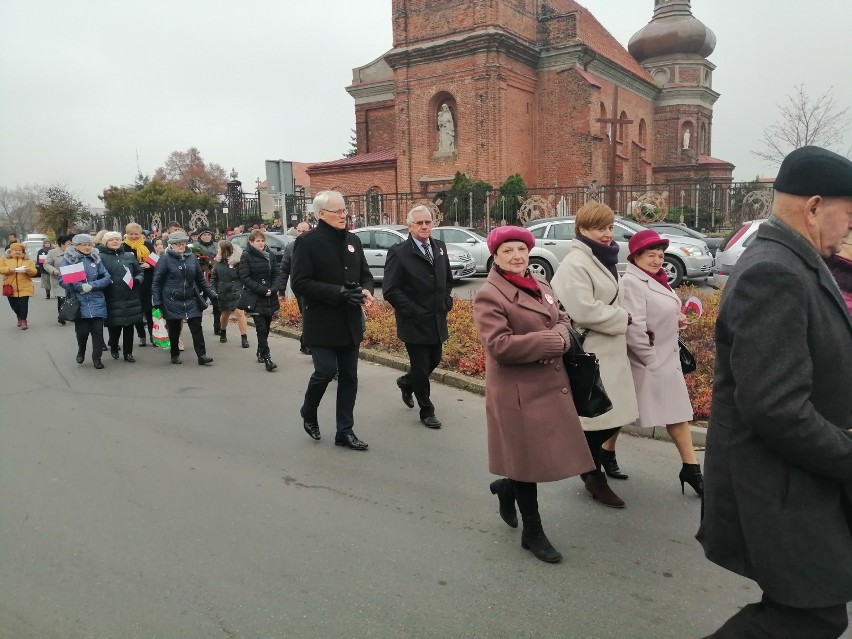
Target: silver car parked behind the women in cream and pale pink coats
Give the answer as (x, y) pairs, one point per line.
(686, 258)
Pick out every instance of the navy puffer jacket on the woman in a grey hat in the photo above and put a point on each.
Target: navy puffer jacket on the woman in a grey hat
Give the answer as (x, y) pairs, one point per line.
(171, 287)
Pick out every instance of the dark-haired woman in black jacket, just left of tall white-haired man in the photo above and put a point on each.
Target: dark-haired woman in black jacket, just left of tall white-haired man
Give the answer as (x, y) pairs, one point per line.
(259, 274)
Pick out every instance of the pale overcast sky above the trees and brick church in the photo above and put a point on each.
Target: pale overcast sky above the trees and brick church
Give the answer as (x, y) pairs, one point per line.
(88, 84)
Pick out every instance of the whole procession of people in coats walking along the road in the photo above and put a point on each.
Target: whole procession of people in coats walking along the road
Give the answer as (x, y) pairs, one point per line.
(776, 502)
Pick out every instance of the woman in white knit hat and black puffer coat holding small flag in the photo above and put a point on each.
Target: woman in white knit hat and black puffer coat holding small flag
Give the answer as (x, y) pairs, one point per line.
(124, 310)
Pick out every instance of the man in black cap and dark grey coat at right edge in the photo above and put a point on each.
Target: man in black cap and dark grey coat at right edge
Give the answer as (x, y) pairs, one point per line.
(778, 466)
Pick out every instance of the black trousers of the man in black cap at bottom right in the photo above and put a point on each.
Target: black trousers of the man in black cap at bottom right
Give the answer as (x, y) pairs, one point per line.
(769, 619)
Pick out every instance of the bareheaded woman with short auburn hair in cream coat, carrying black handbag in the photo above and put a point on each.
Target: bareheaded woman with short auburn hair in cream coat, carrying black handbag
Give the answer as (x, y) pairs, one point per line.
(587, 284)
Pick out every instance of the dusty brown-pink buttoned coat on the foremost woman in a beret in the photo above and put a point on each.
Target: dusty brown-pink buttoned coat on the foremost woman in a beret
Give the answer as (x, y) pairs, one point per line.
(534, 433)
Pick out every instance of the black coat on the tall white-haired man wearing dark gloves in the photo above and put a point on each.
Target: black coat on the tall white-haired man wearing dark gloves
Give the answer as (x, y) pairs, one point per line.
(323, 261)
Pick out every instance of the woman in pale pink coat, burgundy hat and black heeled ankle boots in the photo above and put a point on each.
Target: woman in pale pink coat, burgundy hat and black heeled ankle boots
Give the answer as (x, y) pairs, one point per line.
(653, 350)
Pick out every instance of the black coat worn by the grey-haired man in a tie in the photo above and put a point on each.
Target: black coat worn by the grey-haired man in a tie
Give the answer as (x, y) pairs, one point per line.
(419, 292)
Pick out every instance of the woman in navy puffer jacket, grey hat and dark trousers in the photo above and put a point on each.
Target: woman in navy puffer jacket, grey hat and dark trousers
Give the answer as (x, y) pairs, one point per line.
(177, 276)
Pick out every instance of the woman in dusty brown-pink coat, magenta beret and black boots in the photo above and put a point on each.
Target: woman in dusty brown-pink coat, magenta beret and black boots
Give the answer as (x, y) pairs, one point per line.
(534, 433)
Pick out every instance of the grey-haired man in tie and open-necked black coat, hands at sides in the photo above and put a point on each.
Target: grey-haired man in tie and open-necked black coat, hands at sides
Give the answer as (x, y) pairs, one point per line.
(417, 283)
